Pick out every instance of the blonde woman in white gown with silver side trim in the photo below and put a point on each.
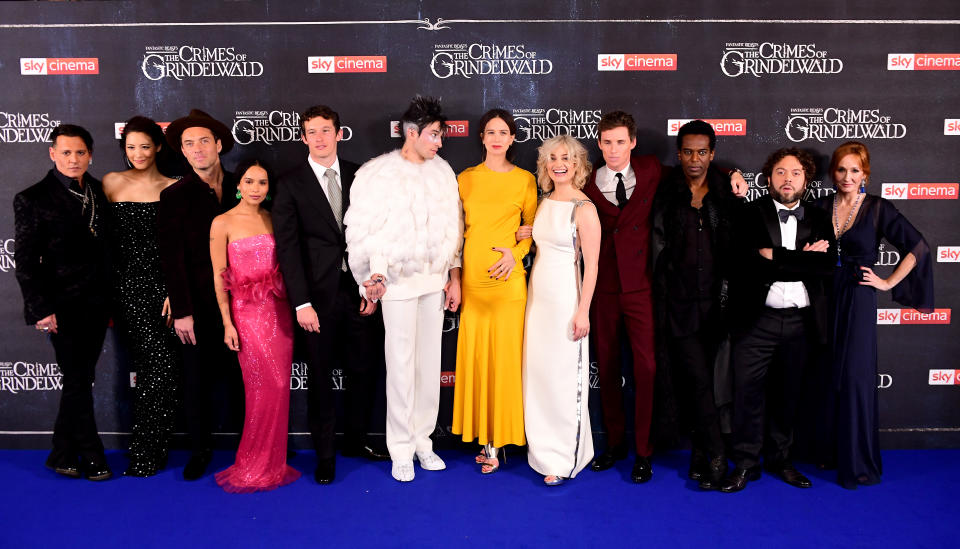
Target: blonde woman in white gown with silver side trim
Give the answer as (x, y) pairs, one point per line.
(556, 373)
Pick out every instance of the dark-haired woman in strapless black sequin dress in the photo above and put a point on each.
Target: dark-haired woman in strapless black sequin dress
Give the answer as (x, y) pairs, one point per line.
(143, 318)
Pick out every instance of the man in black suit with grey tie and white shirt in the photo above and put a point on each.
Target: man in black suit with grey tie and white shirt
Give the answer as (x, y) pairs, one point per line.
(341, 328)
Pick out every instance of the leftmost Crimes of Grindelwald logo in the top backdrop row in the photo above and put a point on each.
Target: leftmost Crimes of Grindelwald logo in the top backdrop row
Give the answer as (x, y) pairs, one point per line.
(181, 62)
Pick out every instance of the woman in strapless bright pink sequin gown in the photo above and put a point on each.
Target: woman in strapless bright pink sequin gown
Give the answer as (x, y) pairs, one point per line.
(257, 323)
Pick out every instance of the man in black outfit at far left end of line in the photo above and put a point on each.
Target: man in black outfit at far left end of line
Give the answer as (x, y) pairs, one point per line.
(63, 270)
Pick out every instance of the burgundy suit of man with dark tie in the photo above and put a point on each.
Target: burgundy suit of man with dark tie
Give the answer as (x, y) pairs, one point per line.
(622, 302)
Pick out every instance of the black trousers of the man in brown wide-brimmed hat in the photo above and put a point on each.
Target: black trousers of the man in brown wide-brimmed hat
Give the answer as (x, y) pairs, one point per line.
(210, 374)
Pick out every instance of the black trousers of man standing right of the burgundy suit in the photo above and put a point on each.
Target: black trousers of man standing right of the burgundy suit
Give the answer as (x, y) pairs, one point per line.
(693, 359)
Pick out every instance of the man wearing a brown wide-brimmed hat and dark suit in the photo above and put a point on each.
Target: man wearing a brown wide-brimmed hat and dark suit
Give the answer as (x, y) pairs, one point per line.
(183, 220)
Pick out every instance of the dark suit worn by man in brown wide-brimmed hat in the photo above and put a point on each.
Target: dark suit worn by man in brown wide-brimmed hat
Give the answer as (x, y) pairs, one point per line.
(183, 223)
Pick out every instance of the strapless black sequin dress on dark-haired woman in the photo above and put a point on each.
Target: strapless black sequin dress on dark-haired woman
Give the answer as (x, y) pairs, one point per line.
(152, 346)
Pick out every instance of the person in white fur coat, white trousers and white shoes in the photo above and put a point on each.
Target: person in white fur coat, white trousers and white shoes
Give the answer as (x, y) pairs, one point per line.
(404, 231)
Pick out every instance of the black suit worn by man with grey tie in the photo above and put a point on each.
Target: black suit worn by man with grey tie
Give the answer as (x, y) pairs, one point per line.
(311, 250)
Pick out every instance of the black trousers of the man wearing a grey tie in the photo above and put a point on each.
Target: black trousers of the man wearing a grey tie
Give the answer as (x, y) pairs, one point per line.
(353, 344)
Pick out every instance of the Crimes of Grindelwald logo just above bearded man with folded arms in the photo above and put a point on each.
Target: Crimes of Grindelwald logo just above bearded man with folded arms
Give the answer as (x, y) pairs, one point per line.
(820, 124)
